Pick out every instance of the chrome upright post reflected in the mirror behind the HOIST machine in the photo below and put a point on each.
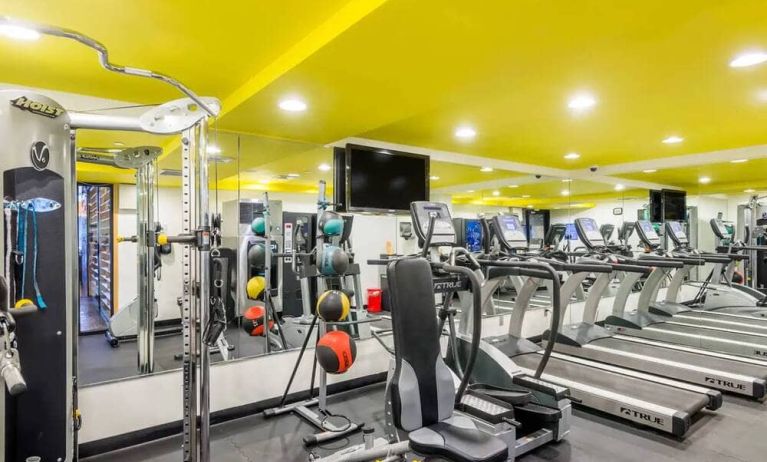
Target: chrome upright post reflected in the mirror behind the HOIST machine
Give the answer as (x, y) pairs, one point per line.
(145, 190)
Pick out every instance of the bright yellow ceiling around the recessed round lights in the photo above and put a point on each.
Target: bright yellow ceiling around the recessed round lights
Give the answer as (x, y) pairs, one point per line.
(411, 72)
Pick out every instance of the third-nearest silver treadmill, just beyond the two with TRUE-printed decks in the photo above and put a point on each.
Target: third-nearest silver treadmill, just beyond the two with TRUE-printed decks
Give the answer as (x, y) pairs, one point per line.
(656, 321)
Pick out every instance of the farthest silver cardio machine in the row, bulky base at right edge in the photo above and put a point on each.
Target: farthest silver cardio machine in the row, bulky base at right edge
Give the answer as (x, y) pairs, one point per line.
(724, 298)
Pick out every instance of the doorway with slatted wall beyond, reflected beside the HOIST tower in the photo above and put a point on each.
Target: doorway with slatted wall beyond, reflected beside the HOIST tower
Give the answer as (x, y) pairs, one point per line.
(96, 256)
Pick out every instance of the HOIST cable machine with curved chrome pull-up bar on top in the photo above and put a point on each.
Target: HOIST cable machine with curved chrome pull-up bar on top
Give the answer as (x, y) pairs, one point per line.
(39, 162)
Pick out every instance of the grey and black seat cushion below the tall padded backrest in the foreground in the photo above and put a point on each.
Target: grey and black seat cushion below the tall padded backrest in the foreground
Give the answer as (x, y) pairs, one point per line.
(458, 439)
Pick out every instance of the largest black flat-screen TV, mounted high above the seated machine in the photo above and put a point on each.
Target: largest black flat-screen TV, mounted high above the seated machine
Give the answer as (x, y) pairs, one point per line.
(384, 180)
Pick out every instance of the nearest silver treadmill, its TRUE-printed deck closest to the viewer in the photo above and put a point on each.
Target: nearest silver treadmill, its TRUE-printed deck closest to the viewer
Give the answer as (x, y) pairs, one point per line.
(655, 402)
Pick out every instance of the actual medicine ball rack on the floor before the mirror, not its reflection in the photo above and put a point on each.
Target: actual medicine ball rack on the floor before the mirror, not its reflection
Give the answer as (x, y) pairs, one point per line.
(329, 264)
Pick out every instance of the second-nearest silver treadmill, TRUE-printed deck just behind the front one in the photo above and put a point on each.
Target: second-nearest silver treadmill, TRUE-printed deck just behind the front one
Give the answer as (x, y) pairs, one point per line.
(587, 340)
